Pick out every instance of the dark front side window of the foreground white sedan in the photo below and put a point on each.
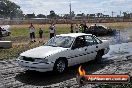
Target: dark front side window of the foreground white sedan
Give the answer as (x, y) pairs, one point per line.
(79, 42)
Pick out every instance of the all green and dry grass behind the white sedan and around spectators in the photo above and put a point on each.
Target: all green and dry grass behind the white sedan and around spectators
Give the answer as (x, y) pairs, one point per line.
(20, 36)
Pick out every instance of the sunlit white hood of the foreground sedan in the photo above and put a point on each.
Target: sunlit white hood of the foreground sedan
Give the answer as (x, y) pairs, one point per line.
(42, 51)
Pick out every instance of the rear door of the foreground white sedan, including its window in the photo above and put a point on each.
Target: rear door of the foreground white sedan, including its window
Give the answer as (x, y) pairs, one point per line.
(91, 47)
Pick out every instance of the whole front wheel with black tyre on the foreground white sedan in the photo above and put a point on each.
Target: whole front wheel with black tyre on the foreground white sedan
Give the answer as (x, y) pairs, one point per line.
(60, 66)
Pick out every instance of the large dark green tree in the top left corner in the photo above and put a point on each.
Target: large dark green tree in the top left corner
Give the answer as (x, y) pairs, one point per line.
(9, 9)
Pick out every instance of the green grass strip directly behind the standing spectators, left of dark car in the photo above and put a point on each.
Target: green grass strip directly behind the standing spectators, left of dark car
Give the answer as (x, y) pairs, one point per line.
(23, 30)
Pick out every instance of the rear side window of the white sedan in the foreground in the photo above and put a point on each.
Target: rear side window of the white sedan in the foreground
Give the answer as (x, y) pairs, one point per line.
(89, 41)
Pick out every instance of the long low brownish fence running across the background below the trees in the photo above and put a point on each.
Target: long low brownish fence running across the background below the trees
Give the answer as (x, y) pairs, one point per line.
(63, 21)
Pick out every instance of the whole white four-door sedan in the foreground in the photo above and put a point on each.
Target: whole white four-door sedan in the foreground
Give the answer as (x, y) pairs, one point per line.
(63, 51)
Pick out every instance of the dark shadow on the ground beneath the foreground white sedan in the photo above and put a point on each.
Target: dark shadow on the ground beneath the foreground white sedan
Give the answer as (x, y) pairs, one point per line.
(49, 78)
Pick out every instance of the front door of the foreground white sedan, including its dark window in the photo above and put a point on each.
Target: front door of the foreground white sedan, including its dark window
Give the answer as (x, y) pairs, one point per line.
(77, 52)
